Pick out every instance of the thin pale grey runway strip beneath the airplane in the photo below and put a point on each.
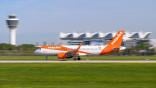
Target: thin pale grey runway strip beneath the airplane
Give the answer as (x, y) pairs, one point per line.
(81, 61)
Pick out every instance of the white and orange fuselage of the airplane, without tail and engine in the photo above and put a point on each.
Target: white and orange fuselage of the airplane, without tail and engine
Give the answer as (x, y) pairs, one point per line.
(84, 49)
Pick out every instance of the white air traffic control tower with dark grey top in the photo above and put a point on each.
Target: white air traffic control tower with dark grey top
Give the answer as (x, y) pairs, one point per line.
(12, 23)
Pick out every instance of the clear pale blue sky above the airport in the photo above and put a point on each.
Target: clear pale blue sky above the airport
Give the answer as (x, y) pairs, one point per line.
(43, 20)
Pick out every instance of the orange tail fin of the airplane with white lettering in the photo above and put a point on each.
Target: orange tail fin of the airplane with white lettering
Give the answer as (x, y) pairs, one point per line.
(114, 44)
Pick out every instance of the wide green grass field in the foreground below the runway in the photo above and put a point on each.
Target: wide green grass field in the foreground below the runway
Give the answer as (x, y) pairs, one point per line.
(77, 75)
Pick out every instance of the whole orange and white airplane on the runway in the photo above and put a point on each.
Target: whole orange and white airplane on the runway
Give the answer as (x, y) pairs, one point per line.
(74, 51)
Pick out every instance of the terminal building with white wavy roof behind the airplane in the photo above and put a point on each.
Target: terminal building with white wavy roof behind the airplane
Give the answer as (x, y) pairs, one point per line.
(130, 39)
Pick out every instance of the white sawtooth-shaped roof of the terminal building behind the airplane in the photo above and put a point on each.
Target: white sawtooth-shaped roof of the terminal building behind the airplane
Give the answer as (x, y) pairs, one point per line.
(99, 35)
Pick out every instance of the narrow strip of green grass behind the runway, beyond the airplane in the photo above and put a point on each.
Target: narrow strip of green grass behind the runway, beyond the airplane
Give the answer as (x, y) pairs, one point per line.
(83, 57)
